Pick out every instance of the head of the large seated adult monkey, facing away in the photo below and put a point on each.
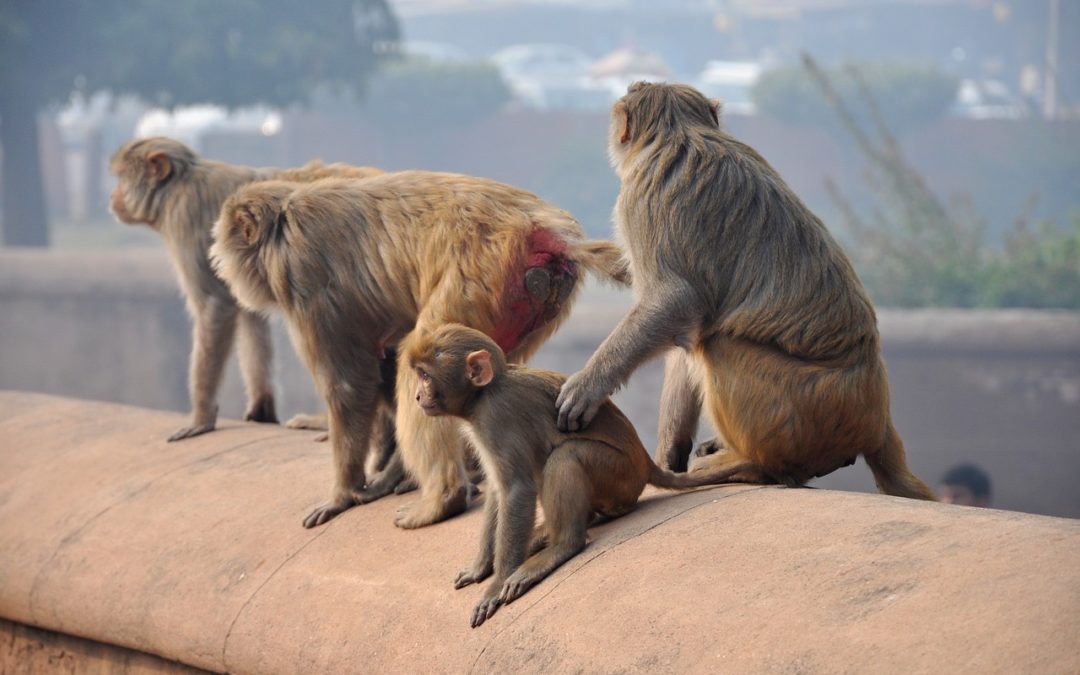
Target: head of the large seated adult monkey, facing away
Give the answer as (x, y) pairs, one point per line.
(653, 112)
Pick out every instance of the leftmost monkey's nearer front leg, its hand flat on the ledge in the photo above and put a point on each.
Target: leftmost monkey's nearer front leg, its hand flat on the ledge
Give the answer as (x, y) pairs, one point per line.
(215, 326)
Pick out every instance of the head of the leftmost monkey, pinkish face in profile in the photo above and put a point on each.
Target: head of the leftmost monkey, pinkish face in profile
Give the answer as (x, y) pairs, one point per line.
(145, 170)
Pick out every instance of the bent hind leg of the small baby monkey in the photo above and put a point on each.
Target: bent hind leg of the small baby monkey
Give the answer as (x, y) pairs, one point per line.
(565, 498)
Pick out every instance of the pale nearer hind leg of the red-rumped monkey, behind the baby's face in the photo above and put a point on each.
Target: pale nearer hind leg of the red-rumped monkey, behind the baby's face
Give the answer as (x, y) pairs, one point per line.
(434, 452)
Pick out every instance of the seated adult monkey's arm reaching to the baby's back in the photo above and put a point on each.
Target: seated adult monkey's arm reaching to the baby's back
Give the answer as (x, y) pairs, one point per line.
(656, 322)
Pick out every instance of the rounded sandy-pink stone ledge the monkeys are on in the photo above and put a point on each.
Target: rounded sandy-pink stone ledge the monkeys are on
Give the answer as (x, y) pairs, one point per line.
(195, 552)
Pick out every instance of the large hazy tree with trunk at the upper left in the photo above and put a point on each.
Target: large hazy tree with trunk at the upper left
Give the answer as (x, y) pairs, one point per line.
(229, 52)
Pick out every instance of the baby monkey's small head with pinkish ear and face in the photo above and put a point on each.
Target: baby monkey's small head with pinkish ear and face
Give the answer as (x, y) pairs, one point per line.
(453, 364)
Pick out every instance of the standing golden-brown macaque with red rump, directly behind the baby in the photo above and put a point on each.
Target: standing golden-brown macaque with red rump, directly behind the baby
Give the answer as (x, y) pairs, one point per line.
(358, 267)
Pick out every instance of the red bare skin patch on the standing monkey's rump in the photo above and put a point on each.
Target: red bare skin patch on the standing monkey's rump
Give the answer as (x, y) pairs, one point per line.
(536, 292)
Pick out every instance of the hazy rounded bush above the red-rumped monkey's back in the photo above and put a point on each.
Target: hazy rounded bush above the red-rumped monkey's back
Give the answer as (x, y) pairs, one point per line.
(412, 96)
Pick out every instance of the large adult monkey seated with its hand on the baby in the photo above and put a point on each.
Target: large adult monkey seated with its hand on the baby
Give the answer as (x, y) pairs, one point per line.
(779, 340)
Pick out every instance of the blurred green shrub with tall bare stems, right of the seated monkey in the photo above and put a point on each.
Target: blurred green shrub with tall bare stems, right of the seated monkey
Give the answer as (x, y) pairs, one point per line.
(917, 251)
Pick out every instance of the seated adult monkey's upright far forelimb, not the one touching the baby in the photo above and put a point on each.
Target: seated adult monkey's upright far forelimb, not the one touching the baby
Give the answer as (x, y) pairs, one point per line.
(680, 411)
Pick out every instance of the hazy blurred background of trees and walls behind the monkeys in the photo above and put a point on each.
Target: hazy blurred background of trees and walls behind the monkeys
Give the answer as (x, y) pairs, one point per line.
(940, 140)
